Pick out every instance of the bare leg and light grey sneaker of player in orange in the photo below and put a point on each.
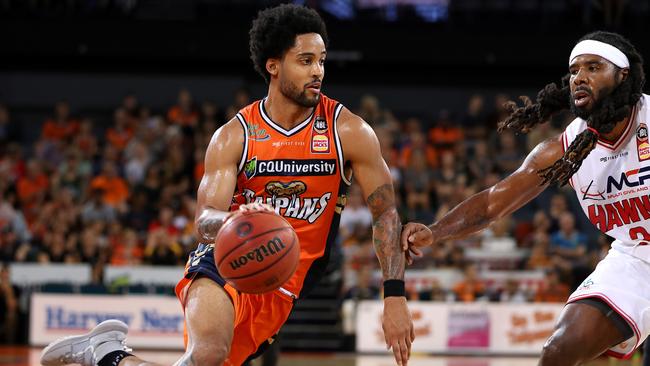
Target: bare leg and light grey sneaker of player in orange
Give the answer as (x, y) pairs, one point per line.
(209, 316)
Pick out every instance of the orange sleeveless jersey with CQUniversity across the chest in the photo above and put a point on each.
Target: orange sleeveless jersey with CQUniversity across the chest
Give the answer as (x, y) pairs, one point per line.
(300, 173)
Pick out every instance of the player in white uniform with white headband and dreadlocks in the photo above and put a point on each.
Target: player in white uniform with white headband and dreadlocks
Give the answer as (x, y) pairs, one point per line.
(604, 155)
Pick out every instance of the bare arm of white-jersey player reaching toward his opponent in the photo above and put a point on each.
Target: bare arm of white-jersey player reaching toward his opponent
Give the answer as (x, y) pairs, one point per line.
(480, 210)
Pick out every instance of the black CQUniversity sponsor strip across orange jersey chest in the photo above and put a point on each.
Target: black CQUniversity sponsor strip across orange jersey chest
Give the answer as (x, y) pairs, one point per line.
(289, 167)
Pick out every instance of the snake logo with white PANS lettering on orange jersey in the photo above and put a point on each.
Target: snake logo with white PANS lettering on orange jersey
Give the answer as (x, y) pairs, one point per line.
(290, 199)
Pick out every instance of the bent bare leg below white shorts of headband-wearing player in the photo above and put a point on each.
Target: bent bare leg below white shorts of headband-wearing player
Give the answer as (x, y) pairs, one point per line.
(583, 332)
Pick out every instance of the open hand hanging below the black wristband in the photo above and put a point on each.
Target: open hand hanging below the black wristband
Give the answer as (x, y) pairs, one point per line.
(398, 328)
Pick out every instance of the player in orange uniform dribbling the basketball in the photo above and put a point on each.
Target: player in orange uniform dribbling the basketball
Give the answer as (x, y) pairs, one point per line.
(295, 150)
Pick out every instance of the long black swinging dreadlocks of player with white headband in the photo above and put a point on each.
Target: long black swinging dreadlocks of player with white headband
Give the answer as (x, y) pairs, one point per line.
(553, 99)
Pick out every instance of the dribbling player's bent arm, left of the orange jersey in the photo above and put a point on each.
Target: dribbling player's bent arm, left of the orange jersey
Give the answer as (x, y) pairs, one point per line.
(219, 179)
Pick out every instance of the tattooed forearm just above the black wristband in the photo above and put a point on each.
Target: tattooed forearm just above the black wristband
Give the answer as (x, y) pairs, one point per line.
(386, 230)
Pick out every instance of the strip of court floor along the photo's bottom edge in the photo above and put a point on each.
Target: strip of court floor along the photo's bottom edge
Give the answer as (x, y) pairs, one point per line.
(24, 356)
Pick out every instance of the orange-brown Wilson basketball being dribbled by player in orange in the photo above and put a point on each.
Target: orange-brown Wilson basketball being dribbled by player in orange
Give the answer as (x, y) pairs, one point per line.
(256, 251)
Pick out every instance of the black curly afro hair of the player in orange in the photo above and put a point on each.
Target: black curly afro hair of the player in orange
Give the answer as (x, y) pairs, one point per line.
(275, 29)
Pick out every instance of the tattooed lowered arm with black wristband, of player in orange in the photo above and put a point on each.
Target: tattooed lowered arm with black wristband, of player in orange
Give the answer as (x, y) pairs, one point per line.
(361, 148)
